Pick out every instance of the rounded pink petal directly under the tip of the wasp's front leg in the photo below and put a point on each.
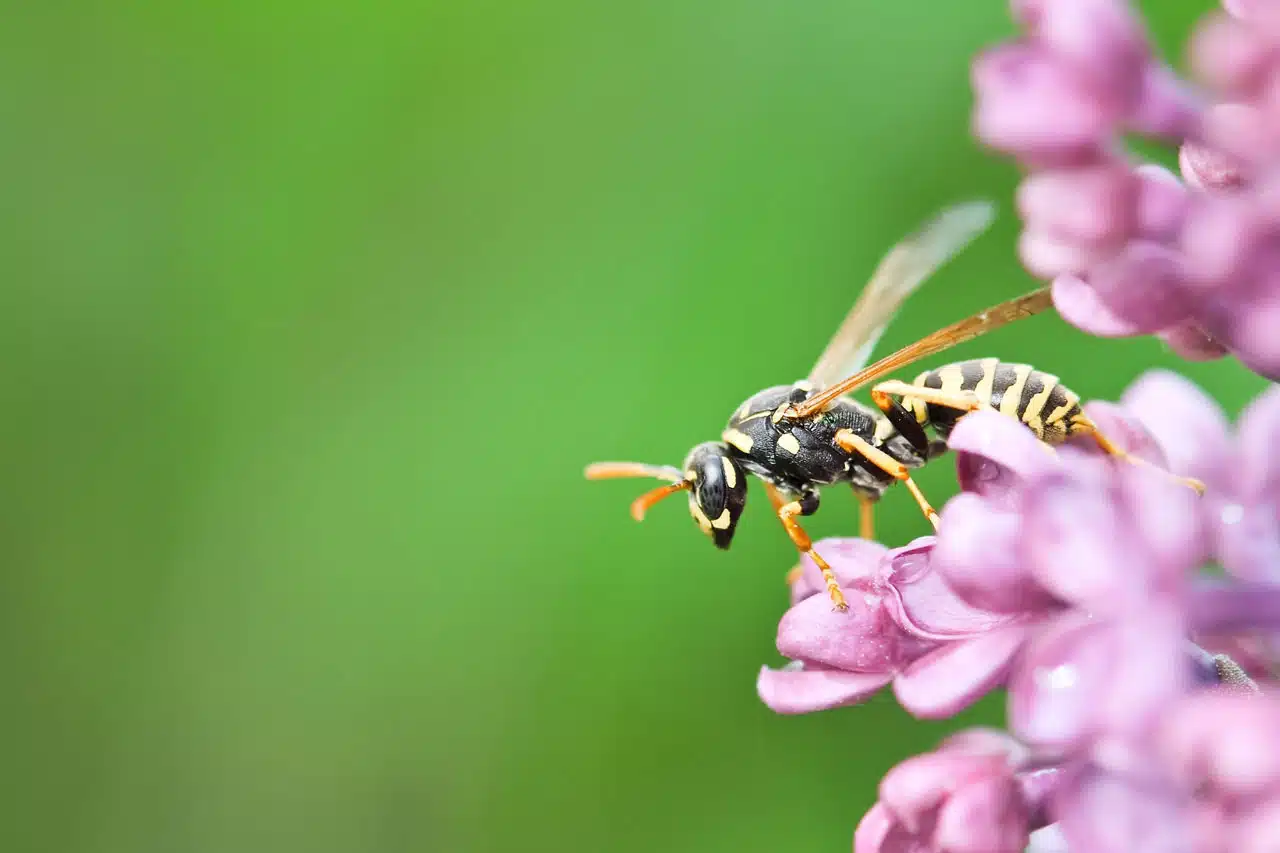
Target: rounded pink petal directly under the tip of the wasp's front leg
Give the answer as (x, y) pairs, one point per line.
(862, 640)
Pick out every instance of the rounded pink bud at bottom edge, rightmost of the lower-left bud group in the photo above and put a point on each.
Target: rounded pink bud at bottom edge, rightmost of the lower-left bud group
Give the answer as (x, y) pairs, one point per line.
(986, 816)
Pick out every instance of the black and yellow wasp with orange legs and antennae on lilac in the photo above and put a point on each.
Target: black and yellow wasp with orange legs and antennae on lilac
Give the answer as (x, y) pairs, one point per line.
(811, 434)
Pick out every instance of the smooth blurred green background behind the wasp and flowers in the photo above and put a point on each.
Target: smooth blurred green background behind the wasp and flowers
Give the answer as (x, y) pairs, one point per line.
(313, 314)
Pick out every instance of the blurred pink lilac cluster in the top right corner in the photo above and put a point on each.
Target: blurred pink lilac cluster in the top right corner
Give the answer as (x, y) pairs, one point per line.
(1131, 249)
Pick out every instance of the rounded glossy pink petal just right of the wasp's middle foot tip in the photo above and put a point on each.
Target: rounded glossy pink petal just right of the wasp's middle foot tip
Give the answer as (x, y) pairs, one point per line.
(980, 556)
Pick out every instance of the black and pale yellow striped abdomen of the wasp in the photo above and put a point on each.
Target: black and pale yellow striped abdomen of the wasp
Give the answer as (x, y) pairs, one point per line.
(1035, 398)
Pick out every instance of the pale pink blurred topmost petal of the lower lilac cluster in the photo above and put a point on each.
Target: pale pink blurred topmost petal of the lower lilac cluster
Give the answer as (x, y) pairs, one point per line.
(1187, 423)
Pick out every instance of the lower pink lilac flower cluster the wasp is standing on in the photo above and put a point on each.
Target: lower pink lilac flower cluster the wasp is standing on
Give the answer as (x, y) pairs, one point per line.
(1073, 580)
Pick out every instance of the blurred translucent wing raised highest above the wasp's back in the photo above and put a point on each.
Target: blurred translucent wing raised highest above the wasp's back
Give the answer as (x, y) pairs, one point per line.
(899, 275)
